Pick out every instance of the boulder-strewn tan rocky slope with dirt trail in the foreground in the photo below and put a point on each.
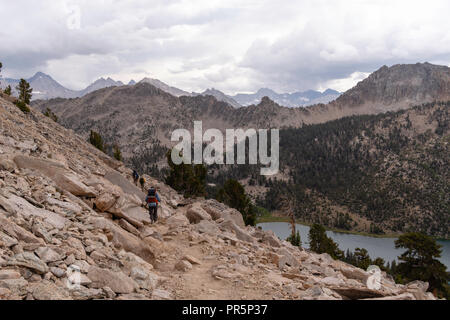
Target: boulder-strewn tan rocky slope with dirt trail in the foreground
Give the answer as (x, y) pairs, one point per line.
(72, 227)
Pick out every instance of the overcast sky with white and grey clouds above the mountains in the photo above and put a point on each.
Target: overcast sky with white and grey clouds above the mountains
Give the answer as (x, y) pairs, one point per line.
(233, 46)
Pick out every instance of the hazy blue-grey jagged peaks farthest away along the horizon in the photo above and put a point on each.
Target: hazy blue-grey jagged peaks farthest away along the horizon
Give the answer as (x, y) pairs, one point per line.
(45, 87)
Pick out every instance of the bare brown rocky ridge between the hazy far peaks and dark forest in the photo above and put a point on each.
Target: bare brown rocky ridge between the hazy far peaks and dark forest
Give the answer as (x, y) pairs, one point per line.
(151, 109)
